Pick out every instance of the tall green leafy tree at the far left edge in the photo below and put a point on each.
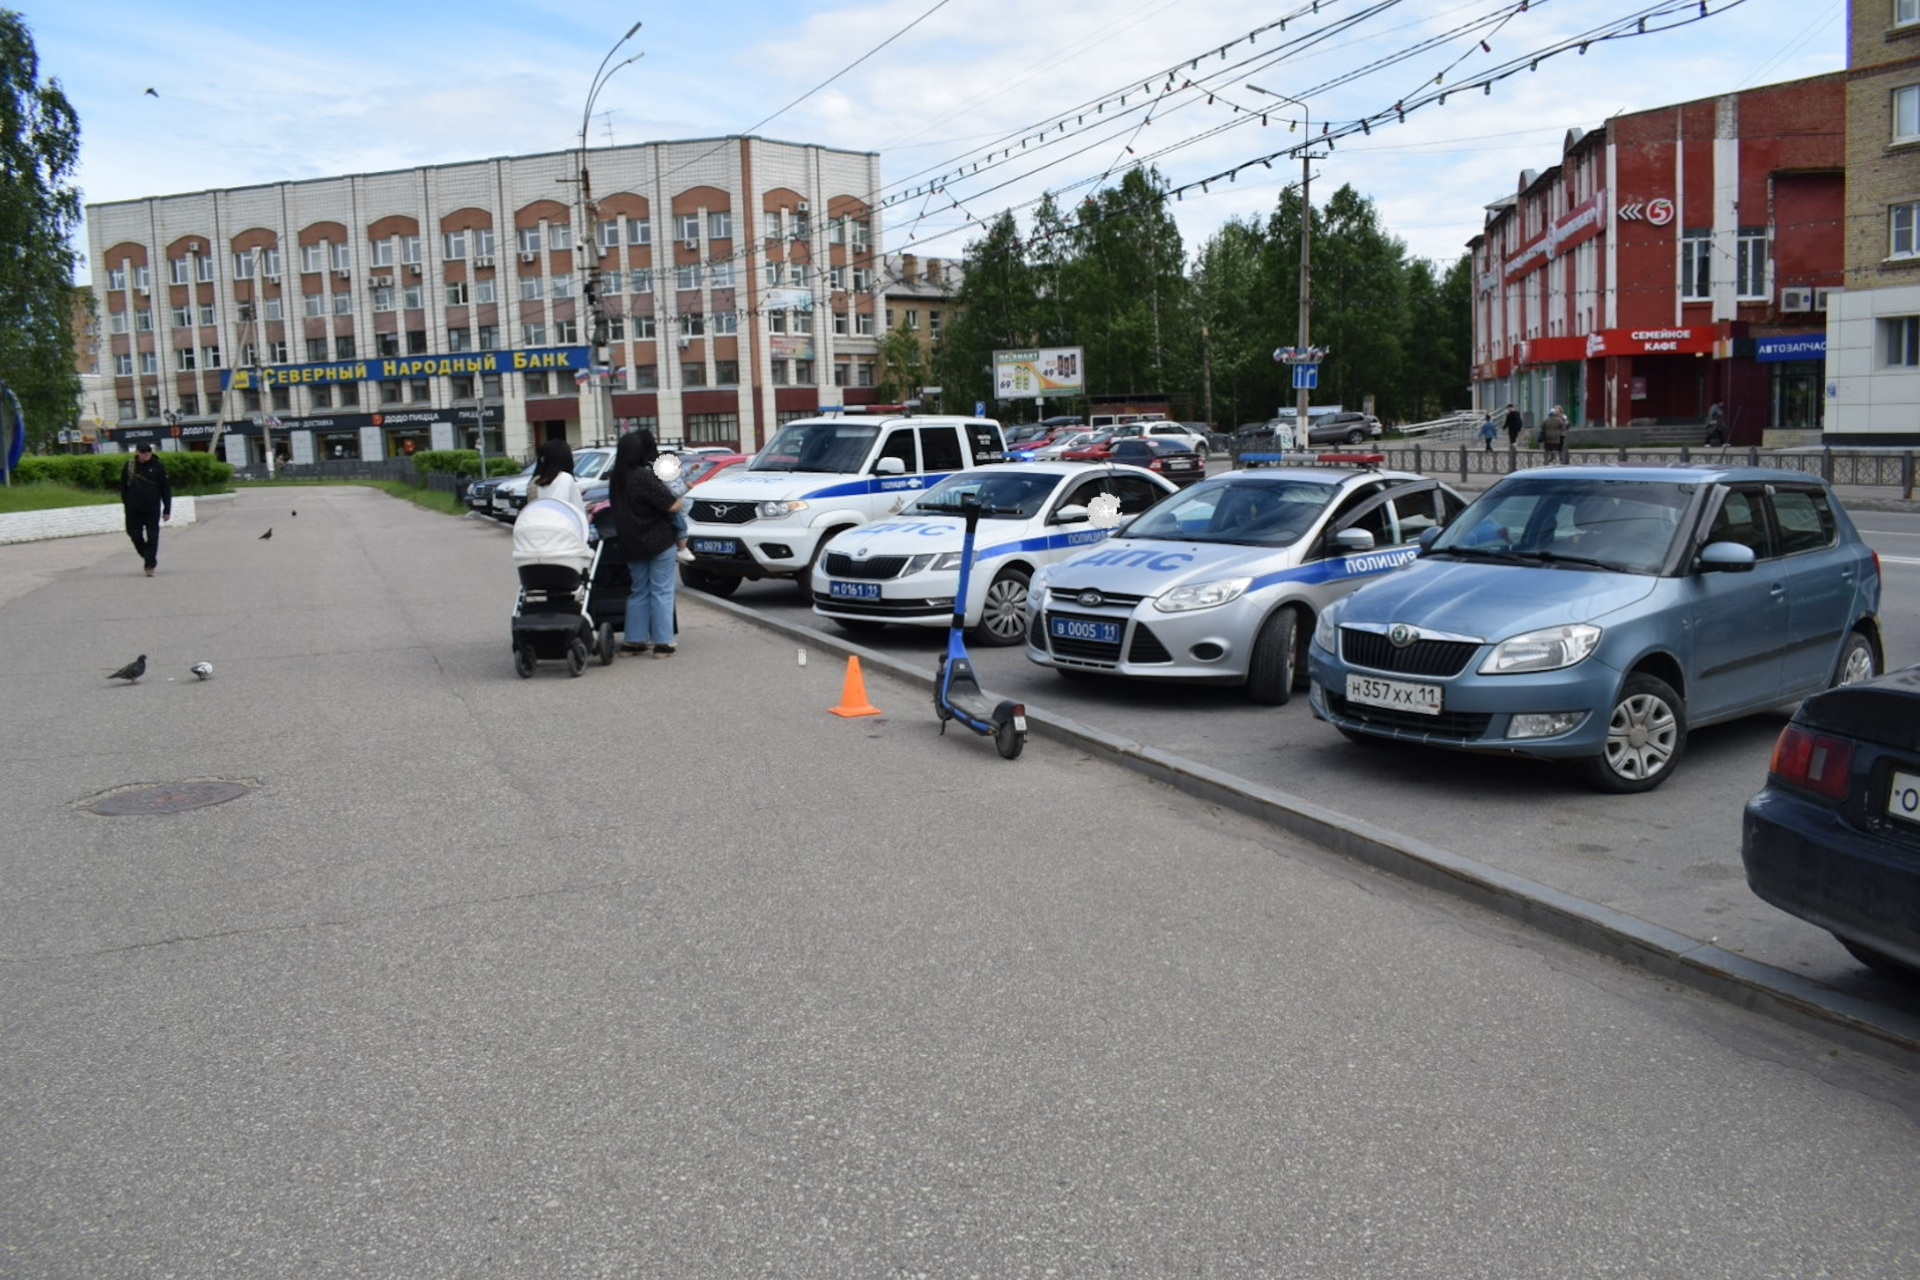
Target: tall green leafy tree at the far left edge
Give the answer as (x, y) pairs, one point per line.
(39, 212)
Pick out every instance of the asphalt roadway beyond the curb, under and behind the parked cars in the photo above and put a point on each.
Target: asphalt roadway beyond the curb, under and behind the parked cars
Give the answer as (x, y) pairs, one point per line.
(1669, 857)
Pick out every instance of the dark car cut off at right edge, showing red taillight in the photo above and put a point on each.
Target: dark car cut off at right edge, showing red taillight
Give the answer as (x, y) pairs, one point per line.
(1836, 834)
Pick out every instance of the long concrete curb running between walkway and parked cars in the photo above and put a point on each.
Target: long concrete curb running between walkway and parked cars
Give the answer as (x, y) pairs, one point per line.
(1710, 970)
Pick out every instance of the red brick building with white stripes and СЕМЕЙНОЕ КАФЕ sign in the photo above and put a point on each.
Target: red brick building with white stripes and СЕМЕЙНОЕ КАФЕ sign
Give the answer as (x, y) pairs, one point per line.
(1671, 260)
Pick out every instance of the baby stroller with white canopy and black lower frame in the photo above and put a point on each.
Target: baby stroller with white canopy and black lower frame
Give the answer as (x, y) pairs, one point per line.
(550, 617)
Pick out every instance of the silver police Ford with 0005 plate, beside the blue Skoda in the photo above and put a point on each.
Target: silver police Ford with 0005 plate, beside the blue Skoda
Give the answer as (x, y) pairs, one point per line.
(1224, 582)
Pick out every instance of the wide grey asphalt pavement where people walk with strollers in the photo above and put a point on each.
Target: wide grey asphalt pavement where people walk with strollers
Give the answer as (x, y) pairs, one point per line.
(665, 972)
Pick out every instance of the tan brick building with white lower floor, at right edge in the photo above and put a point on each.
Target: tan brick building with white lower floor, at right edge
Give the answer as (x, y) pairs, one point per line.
(1875, 327)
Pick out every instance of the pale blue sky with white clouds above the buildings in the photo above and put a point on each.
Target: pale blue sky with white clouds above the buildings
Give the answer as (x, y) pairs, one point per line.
(946, 91)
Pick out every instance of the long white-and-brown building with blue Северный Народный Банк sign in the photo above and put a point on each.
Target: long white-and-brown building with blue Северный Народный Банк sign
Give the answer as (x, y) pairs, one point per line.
(379, 314)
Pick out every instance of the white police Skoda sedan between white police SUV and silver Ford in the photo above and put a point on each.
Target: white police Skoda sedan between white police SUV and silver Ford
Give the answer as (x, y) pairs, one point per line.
(907, 567)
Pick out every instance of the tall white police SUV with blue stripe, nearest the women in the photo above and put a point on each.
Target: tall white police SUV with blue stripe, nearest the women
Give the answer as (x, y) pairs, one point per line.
(815, 479)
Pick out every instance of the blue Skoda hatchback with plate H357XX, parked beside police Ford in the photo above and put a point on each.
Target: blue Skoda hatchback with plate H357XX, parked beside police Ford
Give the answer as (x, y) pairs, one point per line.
(1598, 613)
